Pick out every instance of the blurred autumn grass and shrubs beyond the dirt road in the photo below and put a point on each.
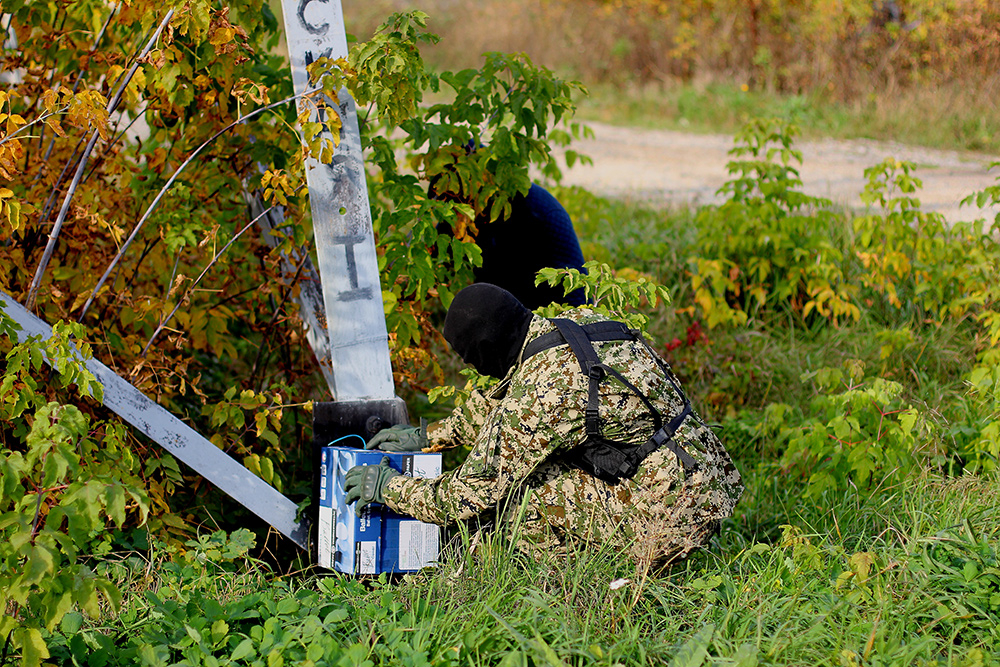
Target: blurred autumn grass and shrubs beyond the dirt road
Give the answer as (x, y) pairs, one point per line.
(920, 71)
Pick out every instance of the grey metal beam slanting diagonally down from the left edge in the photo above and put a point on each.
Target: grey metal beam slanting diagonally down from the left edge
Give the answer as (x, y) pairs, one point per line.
(179, 439)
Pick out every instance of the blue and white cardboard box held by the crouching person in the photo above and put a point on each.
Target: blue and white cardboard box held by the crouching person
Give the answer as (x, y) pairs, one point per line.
(379, 540)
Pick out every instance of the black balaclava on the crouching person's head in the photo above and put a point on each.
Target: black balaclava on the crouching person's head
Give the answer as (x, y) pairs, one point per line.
(487, 325)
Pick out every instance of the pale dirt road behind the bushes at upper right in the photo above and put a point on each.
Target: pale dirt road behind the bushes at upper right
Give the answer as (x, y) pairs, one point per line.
(664, 167)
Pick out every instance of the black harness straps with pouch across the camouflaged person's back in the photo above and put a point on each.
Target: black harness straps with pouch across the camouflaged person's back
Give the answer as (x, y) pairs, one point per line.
(607, 459)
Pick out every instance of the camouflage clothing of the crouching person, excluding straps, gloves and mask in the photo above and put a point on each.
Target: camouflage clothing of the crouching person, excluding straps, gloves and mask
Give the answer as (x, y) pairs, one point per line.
(523, 433)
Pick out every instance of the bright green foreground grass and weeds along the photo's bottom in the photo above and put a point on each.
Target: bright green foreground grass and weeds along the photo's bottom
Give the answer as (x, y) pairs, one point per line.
(906, 575)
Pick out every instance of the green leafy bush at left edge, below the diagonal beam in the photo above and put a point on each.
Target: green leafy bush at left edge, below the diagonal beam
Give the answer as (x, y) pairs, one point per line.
(63, 480)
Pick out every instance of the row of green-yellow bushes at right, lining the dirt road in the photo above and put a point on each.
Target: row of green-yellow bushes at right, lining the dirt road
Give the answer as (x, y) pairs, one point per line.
(771, 248)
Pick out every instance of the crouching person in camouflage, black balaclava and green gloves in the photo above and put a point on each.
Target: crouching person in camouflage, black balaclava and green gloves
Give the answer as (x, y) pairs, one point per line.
(589, 434)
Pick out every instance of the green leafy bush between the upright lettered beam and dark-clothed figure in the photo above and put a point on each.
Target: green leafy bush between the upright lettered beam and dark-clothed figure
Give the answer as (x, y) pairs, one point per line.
(439, 173)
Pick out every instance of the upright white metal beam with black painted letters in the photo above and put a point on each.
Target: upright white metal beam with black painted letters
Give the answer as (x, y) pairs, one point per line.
(338, 197)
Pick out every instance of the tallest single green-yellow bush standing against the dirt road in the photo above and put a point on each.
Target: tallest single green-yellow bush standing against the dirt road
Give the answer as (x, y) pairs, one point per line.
(769, 247)
